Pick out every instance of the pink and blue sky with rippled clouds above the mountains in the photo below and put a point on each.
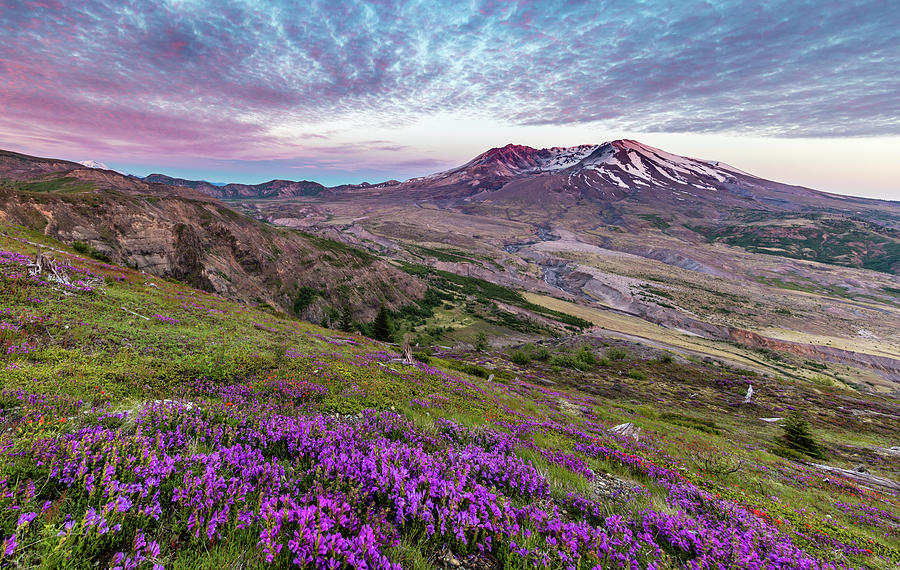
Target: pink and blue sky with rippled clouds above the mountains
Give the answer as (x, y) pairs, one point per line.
(804, 92)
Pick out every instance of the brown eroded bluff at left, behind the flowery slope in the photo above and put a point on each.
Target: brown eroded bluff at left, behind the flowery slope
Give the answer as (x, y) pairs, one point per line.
(179, 232)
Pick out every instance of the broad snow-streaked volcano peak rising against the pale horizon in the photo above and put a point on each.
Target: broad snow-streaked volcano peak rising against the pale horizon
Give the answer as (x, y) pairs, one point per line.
(611, 171)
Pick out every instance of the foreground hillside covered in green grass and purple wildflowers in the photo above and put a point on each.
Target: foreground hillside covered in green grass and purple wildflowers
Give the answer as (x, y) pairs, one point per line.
(145, 424)
